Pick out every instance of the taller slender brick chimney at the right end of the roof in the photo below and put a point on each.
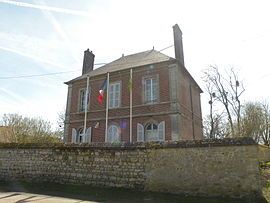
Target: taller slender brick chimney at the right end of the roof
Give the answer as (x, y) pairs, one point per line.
(178, 44)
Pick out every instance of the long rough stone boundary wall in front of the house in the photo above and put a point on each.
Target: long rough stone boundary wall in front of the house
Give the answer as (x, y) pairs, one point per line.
(226, 167)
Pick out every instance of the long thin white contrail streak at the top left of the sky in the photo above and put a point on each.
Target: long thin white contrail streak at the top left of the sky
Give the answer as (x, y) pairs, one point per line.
(48, 8)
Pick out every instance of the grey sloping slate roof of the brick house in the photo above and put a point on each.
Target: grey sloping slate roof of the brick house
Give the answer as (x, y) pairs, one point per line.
(126, 62)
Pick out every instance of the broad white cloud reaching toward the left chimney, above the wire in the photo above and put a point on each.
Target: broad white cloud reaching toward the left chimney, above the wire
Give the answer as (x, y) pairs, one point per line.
(46, 51)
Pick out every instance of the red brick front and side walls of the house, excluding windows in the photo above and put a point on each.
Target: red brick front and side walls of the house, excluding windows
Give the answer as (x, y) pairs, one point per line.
(158, 112)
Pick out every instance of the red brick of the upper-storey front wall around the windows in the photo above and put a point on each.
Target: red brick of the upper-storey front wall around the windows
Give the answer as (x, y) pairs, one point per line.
(161, 70)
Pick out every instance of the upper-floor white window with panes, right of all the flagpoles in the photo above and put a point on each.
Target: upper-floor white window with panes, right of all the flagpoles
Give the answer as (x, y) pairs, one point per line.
(150, 90)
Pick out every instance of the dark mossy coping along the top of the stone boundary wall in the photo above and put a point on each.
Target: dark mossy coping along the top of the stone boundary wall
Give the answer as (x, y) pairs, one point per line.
(243, 141)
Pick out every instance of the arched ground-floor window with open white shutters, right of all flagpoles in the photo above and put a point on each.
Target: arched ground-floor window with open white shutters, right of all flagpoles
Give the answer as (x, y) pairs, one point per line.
(151, 132)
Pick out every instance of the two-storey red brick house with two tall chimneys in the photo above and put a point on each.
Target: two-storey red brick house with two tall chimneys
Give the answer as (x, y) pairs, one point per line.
(165, 99)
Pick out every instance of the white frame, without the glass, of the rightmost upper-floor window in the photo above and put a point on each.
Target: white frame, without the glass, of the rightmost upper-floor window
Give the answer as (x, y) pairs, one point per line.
(153, 98)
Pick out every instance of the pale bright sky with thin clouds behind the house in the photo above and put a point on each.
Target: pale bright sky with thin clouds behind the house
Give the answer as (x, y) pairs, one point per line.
(39, 37)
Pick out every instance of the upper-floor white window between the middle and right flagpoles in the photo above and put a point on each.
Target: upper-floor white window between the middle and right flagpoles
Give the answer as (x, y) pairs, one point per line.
(115, 94)
